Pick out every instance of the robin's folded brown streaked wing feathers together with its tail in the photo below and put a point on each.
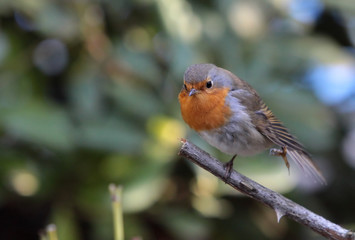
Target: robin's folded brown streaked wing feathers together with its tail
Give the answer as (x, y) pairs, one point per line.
(273, 129)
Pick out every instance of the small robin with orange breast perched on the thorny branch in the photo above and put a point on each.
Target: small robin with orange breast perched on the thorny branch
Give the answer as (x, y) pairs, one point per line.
(230, 115)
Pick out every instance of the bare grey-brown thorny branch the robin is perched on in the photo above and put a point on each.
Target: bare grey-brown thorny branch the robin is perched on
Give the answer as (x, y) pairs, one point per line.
(282, 206)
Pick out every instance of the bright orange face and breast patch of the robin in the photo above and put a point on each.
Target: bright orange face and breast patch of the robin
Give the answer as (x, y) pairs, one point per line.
(205, 111)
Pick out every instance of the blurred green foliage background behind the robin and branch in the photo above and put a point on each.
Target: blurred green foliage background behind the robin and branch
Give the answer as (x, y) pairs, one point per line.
(88, 96)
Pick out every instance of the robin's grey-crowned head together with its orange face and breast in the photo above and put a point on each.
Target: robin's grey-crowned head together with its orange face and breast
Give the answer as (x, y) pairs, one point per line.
(202, 97)
